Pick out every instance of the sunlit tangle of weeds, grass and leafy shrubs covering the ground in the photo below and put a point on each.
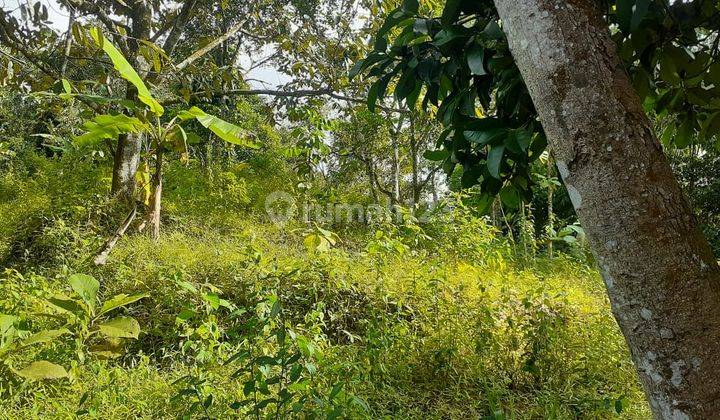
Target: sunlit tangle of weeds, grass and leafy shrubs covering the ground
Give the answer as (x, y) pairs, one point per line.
(241, 318)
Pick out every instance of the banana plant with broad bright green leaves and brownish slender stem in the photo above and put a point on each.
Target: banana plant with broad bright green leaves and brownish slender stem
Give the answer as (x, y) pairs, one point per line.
(147, 121)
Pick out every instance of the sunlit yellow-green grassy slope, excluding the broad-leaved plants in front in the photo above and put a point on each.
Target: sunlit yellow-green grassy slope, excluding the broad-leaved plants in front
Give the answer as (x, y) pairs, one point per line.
(454, 328)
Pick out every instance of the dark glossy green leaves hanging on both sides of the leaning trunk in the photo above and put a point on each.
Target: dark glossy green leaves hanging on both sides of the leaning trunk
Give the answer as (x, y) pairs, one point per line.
(460, 64)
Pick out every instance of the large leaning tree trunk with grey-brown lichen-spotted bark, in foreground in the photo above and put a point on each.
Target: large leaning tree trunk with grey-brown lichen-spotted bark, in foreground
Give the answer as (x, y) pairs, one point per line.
(661, 276)
